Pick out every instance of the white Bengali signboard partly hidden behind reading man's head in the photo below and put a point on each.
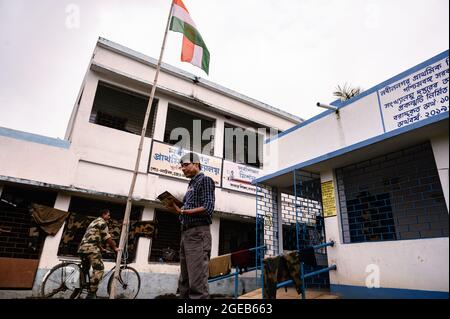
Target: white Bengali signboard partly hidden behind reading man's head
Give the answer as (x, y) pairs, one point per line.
(165, 160)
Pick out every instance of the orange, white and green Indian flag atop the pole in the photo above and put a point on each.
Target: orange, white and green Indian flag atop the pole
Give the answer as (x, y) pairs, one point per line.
(194, 49)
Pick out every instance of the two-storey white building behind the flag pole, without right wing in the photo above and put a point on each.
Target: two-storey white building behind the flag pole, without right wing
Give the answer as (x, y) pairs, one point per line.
(91, 168)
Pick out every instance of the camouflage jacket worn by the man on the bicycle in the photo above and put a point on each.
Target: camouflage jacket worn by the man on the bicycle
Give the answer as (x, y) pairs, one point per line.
(96, 234)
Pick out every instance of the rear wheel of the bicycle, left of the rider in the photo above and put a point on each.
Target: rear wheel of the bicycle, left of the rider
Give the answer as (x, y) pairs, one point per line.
(64, 281)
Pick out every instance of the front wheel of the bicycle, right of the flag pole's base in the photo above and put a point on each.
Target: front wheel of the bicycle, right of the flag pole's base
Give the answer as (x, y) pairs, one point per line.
(128, 285)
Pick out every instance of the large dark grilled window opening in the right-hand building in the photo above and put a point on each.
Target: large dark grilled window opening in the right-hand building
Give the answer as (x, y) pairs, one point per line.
(394, 197)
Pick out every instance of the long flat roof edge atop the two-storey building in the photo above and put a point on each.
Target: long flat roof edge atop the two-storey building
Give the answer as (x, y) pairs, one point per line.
(115, 47)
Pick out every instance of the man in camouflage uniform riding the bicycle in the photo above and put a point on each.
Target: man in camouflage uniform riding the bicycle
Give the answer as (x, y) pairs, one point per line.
(90, 249)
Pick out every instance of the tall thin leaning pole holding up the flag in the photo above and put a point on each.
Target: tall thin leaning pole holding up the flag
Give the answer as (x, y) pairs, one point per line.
(126, 220)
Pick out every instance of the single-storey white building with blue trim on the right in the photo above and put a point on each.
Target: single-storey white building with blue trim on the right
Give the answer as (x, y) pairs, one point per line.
(380, 161)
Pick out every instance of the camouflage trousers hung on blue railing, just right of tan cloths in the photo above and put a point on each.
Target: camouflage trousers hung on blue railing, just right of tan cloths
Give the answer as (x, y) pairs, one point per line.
(278, 269)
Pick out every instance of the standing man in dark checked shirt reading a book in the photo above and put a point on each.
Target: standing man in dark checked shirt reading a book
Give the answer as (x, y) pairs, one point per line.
(195, 216)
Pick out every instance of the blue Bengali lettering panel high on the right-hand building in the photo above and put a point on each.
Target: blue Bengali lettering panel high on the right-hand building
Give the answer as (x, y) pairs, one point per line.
(421, 95)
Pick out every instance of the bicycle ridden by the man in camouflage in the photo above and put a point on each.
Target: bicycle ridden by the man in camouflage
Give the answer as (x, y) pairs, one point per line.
(68, 280)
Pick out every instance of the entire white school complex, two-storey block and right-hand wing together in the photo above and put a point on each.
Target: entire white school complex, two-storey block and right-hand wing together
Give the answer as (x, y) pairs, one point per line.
(371, 176)
